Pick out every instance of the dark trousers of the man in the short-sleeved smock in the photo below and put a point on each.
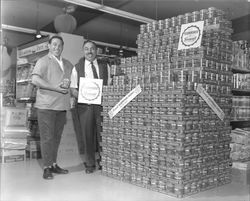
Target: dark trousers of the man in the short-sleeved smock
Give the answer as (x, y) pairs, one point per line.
(51, 124)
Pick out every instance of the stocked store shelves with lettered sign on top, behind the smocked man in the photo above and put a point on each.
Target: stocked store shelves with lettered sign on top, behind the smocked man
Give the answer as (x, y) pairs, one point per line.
(27, 56)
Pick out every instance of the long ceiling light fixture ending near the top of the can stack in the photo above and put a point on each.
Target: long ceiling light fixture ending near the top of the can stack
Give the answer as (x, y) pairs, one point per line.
(110, 10)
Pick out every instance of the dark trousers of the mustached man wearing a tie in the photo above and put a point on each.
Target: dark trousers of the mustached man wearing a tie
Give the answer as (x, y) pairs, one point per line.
(90, 126)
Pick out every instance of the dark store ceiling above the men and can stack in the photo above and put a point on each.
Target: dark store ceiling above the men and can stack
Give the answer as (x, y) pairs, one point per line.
(100, 26)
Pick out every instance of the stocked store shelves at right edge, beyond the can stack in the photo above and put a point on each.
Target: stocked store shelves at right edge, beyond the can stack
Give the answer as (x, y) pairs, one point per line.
(240, 118)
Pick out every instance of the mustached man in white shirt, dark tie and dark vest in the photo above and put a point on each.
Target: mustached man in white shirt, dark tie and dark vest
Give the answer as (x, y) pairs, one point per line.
(89, 115)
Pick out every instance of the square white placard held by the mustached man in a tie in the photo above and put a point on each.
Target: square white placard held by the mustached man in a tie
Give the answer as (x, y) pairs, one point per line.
(90, 91)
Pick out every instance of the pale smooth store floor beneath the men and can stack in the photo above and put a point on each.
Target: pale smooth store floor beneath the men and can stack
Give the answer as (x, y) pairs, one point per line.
(22, 181)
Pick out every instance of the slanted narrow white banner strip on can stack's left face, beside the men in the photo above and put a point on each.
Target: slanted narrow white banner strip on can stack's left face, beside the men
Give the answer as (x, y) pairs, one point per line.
(124, 101)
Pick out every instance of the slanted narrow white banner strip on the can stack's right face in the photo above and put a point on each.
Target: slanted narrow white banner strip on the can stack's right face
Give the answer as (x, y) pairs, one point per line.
(210, 101)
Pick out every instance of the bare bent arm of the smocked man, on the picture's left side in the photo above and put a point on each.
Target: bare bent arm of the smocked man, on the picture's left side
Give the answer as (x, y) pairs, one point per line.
(39, 82)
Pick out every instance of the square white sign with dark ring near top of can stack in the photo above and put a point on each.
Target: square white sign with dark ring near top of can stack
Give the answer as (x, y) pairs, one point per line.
(191, 35)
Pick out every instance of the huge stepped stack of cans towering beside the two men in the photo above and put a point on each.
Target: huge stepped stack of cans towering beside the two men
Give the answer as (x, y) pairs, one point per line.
(167, 138)
